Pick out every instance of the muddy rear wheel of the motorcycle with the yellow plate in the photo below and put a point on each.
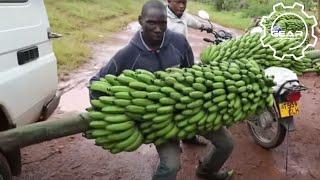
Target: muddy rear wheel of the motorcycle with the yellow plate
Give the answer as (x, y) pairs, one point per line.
(259, 136)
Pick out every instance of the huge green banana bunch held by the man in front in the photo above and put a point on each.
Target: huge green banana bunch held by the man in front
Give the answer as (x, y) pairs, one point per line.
(143, 107)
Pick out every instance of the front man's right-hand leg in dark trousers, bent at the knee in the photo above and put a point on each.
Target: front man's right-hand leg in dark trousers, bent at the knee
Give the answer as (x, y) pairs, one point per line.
(223, 146)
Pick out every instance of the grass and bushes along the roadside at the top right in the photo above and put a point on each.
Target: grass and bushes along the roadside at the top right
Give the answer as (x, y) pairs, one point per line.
(239, 14)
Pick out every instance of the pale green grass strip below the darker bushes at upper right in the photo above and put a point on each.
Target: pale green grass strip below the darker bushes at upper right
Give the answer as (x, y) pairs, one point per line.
(225, 18)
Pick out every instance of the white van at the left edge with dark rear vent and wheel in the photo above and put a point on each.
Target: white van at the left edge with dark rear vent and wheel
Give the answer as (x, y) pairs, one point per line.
(28, 70)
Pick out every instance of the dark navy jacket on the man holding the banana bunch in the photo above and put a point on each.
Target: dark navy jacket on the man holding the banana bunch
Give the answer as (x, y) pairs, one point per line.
(175, 51)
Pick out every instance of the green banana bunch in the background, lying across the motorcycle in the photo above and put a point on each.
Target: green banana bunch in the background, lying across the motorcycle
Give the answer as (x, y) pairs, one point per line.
(249, 46)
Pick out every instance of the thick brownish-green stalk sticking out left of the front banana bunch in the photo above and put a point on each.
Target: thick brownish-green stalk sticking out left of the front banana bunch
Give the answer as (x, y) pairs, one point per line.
(35, 133)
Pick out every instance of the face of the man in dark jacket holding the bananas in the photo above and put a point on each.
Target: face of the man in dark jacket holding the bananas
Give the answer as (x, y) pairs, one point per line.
(154, 24)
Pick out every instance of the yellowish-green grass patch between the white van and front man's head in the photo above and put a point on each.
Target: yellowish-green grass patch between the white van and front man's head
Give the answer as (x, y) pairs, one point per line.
(84, 21)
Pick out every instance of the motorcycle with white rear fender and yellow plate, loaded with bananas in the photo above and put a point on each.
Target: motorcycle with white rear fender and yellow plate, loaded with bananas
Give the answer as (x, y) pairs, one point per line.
(269, 128)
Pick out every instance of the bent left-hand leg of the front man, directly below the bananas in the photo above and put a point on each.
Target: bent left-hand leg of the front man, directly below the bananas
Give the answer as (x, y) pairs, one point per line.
(169, 154)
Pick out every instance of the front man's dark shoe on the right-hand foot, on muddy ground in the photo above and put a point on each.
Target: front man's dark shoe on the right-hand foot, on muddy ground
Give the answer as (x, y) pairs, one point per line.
(225, 175)
